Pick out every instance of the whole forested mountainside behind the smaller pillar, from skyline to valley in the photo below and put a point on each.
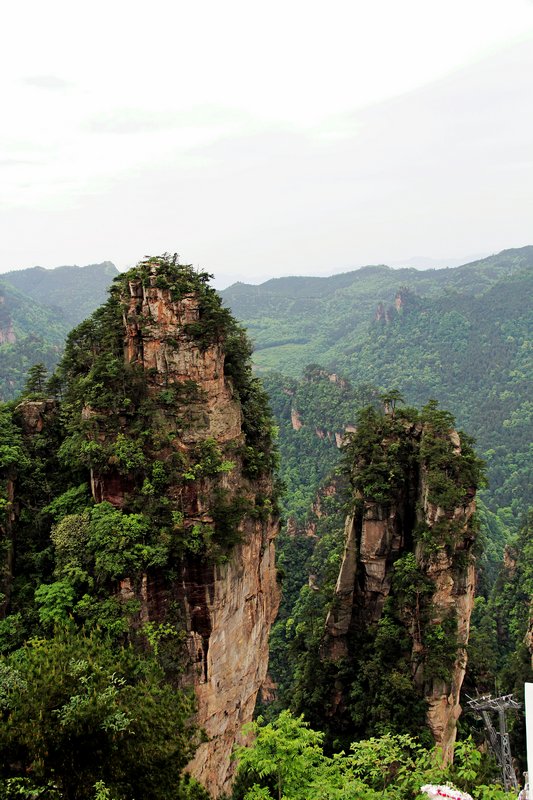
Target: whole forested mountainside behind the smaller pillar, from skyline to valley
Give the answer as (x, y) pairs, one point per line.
(461, 336)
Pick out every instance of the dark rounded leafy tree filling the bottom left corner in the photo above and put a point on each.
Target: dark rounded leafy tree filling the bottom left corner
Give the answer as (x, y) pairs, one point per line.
(77, 710)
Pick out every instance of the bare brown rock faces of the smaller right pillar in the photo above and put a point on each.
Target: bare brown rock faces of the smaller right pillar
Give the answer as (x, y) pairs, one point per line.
(376, 536)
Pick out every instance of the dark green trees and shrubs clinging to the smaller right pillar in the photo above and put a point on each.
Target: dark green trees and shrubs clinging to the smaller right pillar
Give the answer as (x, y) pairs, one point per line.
(383, 460)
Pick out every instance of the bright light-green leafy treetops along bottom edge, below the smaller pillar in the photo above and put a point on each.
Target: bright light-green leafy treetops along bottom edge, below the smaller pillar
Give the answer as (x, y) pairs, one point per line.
(287, 761)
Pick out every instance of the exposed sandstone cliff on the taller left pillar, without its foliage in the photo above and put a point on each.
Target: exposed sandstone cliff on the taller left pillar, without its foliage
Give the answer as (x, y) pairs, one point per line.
(227, 607)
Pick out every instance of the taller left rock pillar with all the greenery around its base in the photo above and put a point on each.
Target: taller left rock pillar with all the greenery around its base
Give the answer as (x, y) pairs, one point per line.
(137, 577)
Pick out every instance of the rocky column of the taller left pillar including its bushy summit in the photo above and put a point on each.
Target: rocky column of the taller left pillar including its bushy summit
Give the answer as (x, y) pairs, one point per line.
(176, 346)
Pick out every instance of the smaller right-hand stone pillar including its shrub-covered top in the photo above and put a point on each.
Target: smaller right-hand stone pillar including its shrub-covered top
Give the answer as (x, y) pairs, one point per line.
(431, 536)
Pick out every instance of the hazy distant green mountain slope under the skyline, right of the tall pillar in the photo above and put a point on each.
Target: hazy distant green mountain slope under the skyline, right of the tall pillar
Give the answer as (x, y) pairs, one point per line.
(461, 336)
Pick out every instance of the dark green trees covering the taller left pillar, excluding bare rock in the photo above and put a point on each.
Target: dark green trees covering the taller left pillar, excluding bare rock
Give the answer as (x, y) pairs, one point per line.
(91, 694)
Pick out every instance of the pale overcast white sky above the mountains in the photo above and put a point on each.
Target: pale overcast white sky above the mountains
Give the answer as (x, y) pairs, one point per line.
(260, 139)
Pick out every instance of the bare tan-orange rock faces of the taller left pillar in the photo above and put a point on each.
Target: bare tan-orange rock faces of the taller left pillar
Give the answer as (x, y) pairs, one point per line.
(229, 607)
